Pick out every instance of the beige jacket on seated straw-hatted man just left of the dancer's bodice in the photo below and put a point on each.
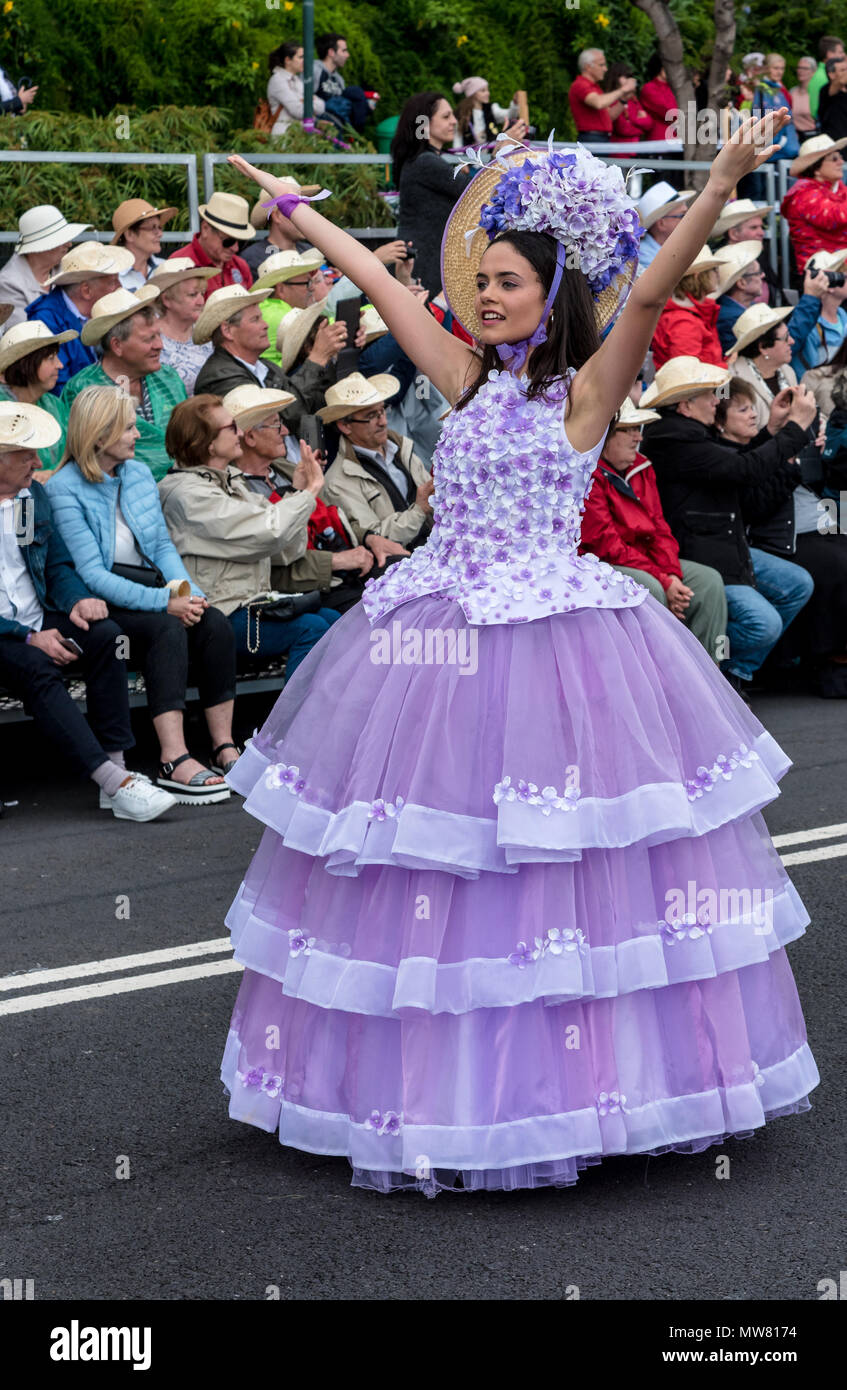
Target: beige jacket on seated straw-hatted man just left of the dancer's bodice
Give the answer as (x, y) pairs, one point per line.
(366, 502)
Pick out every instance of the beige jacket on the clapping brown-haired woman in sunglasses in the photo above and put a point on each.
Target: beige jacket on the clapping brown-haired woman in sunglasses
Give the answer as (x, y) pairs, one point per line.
(227, 536)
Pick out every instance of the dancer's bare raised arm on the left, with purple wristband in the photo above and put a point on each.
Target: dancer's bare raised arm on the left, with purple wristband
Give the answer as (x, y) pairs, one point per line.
(444, 359)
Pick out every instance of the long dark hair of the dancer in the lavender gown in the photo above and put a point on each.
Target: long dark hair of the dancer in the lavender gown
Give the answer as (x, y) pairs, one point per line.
(572, 337)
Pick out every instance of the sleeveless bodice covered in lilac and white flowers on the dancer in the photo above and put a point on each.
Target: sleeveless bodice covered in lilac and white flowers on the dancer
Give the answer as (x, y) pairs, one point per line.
(507, 515)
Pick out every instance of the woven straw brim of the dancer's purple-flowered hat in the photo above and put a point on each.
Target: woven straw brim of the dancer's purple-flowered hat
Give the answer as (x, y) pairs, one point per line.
(465, 243)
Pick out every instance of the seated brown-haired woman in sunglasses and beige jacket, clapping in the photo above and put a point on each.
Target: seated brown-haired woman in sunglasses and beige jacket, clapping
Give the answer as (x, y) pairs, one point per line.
(233, 537)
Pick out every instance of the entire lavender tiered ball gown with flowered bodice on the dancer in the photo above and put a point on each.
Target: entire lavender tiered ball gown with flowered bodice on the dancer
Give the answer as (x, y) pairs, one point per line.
(515, 907)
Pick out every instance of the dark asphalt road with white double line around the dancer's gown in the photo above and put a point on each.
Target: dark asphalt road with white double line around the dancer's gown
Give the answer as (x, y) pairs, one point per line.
(216, 1210)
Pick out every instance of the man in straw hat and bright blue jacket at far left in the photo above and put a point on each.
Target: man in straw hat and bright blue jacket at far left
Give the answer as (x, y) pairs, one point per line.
(87, 273)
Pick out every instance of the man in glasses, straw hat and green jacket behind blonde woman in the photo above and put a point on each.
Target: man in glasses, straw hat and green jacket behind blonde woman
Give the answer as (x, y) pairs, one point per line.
(127, 329)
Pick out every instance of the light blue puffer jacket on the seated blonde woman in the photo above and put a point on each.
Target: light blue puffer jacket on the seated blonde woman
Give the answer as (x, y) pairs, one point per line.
(86, 514)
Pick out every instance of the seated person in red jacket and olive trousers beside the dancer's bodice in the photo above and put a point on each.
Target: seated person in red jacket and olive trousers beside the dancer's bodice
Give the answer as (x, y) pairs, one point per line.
(625, 526)
